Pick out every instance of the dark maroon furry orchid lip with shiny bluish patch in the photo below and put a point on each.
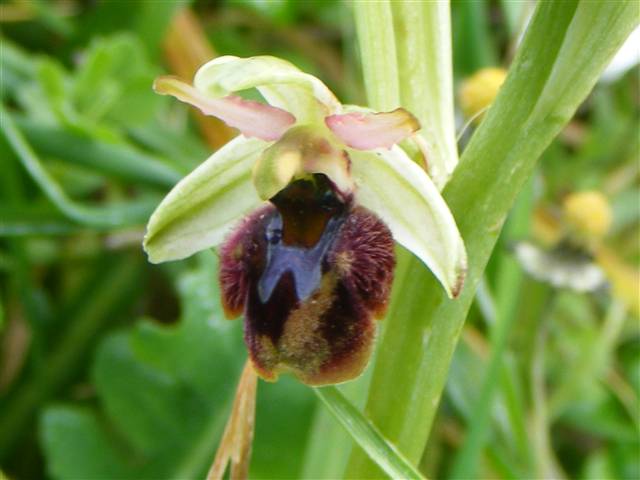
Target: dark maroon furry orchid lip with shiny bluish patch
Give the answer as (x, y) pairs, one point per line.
(310, 271)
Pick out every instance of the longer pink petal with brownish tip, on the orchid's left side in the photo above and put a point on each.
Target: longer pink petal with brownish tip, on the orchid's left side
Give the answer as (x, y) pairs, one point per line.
(253, 119)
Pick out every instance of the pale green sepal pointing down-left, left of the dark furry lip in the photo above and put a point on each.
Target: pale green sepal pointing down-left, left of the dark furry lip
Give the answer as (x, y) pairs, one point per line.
(203, 206)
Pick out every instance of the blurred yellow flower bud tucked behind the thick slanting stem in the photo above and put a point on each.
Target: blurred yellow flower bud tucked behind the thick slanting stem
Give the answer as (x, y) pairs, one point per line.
(478, 91)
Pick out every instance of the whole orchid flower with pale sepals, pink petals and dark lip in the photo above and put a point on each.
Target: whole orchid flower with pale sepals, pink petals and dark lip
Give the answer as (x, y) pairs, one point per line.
(329, 188)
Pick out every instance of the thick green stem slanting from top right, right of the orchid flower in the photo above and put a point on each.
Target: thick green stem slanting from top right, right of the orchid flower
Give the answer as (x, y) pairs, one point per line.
(566, 47)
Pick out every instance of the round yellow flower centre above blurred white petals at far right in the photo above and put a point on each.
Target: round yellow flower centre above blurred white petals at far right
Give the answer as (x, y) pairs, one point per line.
(588, 214)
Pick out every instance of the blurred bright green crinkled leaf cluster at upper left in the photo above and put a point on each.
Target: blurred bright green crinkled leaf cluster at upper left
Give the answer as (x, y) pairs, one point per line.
(108, 91)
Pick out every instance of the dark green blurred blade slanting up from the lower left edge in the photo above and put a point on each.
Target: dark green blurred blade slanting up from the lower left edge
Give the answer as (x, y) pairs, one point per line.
(106, 292)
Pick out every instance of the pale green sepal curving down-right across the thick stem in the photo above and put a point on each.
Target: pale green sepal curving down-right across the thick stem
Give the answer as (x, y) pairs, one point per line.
(390, 184)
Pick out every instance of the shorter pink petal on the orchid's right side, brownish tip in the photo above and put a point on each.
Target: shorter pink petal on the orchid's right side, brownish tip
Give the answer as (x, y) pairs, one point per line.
(366, 131)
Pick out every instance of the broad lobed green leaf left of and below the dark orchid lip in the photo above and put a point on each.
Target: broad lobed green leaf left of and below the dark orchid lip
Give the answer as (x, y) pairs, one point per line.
(164, 394)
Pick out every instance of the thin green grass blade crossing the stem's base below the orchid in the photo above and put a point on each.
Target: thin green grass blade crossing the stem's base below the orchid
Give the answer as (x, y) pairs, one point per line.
(367, 436)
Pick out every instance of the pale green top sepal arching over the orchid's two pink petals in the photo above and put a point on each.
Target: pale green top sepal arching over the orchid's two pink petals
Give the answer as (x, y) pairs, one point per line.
(279, 82)
